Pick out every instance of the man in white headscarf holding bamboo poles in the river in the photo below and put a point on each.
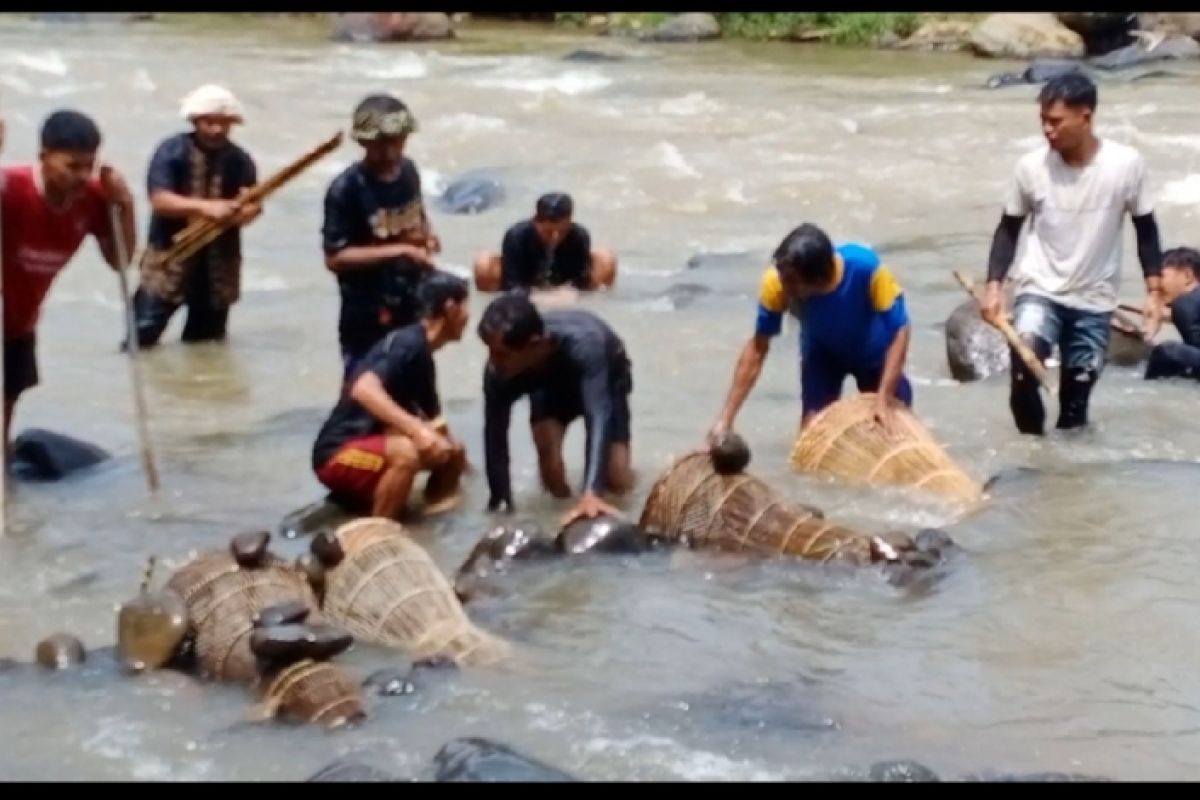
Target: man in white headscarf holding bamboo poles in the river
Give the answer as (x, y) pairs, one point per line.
(196, 175)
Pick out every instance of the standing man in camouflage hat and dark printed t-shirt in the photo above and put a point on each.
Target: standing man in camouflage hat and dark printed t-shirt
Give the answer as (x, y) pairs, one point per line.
(376, 234)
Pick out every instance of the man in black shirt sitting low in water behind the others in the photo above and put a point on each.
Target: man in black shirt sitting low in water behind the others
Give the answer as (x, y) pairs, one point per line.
(545, 252)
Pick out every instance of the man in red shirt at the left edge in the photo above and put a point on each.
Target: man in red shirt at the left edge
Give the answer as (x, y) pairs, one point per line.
(46, 213)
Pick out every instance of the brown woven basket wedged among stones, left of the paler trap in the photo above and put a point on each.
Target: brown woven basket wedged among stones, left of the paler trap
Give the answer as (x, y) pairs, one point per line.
(223, 599)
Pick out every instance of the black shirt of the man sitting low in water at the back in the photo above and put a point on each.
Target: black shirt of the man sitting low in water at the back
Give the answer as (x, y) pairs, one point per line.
(526, 263)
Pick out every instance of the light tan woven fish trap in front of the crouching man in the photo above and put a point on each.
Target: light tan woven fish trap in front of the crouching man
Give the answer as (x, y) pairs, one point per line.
(388, 591)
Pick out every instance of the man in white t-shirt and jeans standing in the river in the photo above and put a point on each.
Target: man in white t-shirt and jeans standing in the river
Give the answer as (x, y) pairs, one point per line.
(1077, 191)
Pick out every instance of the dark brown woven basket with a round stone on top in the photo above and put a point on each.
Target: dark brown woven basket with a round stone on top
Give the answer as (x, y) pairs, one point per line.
(693, 504)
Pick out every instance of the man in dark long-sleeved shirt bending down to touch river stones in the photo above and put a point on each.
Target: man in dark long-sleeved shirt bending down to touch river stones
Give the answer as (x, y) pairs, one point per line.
(571, 364)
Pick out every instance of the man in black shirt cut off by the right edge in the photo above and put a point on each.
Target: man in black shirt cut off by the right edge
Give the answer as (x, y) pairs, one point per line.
(1181, 290)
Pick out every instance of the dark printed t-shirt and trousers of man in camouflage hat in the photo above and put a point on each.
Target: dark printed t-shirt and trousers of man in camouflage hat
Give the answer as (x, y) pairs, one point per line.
(362, 212)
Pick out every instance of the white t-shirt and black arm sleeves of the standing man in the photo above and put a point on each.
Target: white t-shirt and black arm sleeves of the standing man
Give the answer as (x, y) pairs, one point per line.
(1073, 254)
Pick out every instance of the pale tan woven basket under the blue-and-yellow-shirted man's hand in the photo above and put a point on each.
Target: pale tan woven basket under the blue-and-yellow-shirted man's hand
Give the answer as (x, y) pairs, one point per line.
(844, 441)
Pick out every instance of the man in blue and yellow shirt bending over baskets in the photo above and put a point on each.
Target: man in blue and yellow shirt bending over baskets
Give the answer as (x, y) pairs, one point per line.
(854, 322)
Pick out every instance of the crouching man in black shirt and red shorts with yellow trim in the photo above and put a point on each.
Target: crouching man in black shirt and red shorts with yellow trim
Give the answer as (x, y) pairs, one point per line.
(388, 425)
